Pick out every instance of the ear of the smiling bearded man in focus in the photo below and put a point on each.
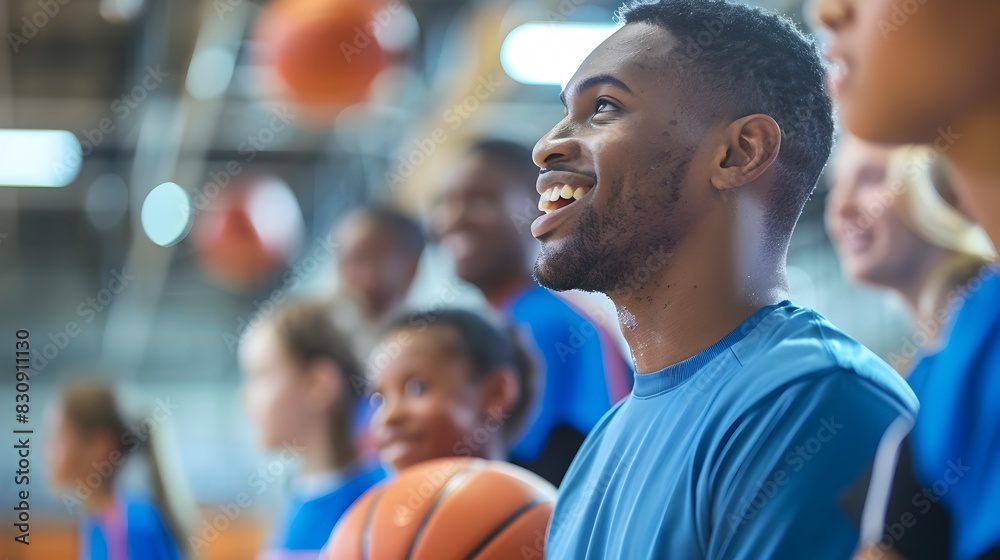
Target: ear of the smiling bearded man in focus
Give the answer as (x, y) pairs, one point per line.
(749, 146)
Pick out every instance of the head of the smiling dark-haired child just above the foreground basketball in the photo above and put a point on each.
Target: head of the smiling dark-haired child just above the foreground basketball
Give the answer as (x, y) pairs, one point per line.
(451, 384)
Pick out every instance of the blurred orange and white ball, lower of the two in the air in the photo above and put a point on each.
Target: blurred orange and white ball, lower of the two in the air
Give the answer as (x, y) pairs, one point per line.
(247, 231)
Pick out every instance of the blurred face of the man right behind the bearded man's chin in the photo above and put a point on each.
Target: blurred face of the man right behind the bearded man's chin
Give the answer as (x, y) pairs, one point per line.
(481, 217)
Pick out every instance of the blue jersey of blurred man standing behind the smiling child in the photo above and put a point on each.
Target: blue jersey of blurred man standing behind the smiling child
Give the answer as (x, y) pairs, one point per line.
(581, 375)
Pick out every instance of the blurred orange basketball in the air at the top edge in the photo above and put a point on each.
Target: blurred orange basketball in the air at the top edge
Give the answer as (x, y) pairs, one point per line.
(321, 52)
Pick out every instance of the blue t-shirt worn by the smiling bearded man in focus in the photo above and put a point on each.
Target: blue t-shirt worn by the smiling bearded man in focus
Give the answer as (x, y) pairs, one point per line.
(738, 452)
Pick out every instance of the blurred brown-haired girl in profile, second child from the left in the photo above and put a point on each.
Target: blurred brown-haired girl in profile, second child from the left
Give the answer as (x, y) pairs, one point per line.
(301, 383)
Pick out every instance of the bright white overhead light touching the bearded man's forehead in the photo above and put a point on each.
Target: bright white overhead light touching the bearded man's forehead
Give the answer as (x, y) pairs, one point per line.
(550, 53)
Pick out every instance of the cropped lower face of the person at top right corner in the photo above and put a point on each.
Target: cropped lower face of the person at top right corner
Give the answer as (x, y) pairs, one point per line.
(907, 68)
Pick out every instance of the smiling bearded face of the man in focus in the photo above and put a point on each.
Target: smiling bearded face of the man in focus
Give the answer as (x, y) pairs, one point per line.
(629, 147)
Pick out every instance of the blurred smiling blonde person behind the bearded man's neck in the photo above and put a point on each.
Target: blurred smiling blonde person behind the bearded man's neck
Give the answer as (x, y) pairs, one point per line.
(893, 219)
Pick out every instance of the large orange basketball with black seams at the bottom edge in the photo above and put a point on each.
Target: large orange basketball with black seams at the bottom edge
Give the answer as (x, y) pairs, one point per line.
(448, 509)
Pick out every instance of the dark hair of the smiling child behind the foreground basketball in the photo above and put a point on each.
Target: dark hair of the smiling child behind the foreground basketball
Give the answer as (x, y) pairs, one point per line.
(486, 346)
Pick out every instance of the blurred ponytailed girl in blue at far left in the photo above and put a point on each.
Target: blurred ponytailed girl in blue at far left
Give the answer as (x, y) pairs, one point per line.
(89, 442)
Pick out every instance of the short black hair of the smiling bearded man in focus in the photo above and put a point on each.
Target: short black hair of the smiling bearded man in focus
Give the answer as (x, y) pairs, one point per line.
(742, 60)
